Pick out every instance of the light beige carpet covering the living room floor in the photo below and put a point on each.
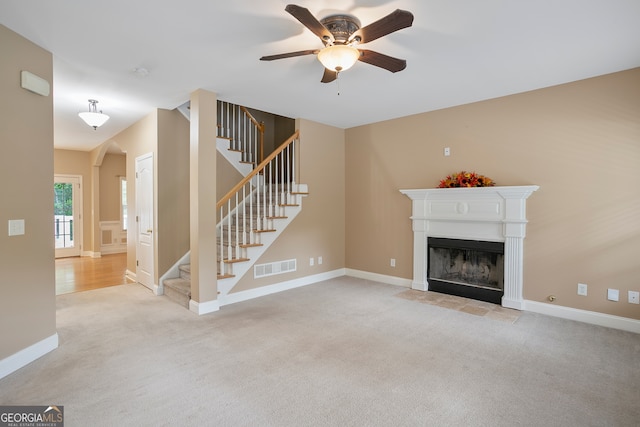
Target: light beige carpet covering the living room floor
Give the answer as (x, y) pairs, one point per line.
(345, 352)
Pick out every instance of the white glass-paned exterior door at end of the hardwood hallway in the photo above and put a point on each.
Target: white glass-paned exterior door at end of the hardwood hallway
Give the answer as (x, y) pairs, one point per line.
(67, 211)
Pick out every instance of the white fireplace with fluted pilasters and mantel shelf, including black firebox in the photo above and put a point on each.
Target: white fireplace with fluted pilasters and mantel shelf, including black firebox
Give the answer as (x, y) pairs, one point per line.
(489, 223)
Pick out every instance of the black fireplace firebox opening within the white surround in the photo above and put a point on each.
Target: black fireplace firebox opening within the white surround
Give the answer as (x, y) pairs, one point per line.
(466, 268)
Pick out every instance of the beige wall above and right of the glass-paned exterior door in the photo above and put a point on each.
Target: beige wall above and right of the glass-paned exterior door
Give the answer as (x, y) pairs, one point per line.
(71, 162)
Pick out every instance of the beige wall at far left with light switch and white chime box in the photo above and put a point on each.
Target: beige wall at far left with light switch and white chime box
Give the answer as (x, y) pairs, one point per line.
(27, 276)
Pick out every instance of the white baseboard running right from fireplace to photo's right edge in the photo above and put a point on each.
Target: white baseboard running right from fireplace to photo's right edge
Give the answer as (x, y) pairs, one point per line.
(592, 317)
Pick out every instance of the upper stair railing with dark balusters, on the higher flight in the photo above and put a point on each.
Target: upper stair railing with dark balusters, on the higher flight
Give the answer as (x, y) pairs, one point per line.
(245, 133)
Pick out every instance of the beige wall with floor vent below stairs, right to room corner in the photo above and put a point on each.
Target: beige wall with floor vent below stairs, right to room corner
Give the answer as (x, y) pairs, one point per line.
(319, 229)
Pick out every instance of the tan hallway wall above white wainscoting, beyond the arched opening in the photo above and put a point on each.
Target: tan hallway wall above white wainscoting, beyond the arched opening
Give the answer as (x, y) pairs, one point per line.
(112, 168)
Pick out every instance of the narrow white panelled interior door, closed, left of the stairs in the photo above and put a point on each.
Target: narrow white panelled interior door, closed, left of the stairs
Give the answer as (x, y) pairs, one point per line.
(144, 220)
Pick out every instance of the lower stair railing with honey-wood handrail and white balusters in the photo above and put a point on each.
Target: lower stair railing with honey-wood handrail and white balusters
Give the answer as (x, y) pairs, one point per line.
(251, 206)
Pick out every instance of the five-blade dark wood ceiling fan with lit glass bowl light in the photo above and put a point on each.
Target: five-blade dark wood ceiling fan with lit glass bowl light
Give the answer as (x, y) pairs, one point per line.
(341, 35)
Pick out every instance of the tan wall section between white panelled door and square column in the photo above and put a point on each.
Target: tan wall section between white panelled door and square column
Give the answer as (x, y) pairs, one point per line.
(173, 188)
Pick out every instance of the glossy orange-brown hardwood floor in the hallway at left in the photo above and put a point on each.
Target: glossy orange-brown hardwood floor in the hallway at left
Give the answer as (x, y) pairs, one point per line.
(76, 274)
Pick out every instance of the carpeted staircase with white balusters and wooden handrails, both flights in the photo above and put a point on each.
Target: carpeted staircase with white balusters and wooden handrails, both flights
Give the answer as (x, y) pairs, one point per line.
(253, 213)
